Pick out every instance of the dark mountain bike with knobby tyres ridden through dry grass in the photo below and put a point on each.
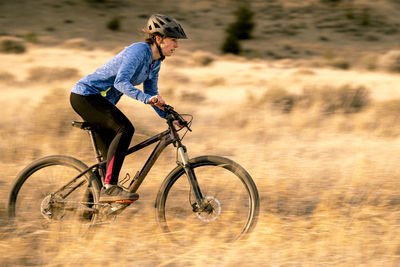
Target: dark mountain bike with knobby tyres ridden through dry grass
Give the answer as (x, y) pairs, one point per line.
(211, 196)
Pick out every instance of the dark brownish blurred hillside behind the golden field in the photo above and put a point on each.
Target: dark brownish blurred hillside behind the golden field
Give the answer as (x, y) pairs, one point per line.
(284, 29)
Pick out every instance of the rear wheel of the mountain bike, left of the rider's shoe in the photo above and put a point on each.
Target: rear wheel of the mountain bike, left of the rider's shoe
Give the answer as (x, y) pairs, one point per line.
(45, 192)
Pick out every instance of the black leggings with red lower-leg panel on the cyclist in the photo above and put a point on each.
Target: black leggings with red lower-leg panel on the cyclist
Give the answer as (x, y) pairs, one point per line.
(113, 130)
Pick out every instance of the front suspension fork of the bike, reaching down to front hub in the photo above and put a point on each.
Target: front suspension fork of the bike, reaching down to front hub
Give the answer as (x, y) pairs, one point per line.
(191, 178)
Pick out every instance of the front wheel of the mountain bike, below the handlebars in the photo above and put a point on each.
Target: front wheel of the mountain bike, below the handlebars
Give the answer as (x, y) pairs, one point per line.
(230, 202)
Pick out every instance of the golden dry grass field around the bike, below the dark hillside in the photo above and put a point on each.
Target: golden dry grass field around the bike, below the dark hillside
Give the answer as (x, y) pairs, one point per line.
(328, 182)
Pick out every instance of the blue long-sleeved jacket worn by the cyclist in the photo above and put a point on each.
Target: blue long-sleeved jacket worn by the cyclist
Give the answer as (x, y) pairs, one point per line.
(131, 67)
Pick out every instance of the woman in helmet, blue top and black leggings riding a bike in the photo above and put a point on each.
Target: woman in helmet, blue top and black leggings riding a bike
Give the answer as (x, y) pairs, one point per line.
(94, 97)
